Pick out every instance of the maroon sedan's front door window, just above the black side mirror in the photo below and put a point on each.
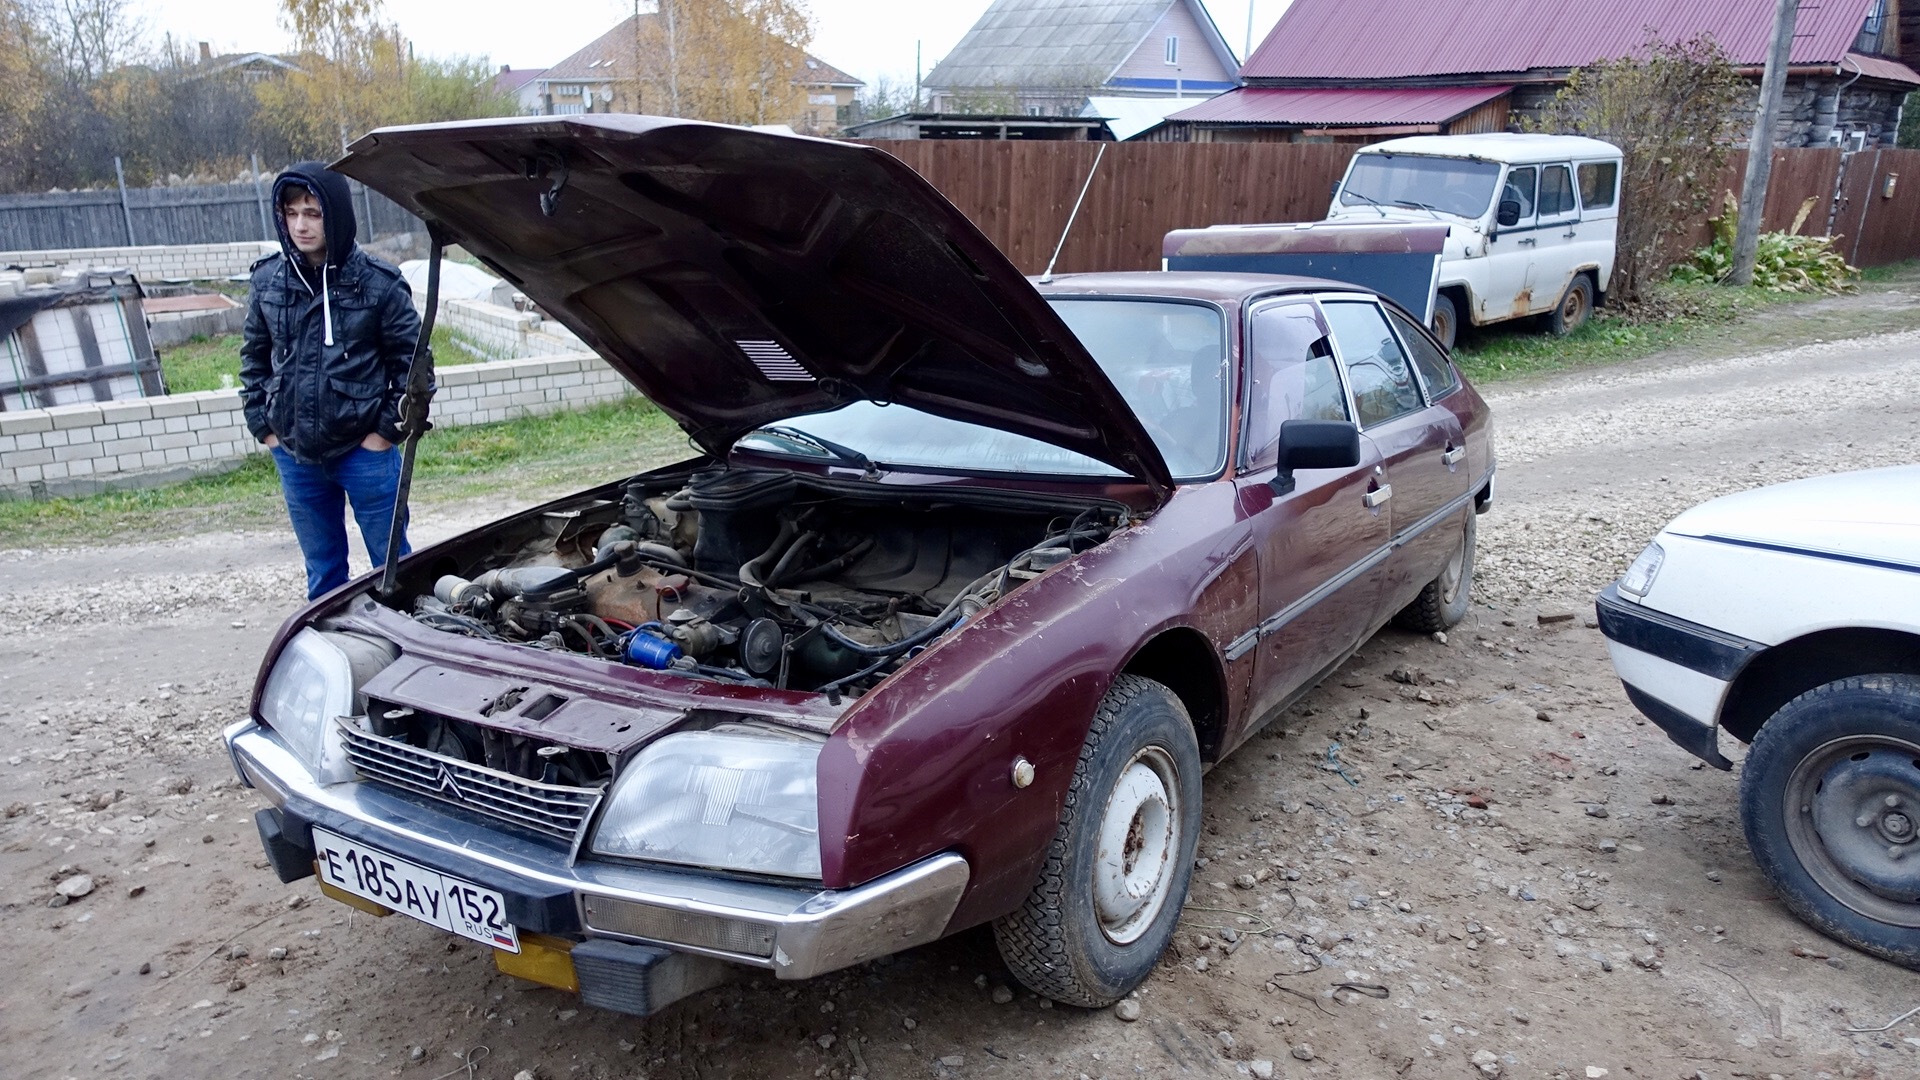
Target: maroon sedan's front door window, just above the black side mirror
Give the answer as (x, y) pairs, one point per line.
(1291, 378)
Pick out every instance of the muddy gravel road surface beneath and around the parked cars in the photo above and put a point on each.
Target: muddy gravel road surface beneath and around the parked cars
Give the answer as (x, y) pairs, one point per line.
(1483, 829)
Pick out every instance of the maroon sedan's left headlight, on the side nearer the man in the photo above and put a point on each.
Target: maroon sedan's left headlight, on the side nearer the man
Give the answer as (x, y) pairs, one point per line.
(318, 679)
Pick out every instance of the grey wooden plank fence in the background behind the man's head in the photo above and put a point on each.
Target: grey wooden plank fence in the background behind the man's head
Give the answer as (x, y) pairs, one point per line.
(187, 214)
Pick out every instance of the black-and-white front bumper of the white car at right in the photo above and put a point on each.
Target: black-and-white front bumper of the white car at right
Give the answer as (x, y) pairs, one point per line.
(1675, 672)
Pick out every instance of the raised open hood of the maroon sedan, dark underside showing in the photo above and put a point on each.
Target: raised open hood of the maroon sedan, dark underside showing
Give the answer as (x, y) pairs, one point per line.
(742, 278)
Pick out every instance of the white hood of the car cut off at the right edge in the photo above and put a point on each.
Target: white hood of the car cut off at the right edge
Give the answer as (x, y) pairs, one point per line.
(1871, 516)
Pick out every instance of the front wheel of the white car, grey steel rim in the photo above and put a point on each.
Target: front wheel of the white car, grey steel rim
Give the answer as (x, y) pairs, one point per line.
(1829, 795)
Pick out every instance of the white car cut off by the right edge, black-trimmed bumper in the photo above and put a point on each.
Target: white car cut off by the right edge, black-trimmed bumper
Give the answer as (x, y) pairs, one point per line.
(1790, 620)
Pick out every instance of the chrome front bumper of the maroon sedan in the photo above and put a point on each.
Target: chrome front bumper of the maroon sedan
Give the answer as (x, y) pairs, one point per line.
(794, 931)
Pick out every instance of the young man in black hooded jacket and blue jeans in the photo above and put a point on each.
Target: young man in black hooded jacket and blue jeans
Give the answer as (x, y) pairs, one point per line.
(324, 362)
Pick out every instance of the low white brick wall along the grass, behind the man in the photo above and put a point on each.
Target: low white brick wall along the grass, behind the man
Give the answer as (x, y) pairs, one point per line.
(74, 451)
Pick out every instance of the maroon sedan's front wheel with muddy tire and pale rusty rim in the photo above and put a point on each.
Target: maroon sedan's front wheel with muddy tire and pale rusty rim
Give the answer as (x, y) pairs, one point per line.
(1093, 929)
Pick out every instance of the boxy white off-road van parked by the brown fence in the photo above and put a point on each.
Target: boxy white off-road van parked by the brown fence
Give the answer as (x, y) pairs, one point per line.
(1531, 220)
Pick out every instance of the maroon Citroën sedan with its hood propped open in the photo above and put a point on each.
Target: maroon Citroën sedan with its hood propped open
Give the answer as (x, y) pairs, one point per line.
(969, 587)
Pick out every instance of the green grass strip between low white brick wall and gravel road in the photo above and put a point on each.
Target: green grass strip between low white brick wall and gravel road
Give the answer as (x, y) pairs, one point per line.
(510, 460)
